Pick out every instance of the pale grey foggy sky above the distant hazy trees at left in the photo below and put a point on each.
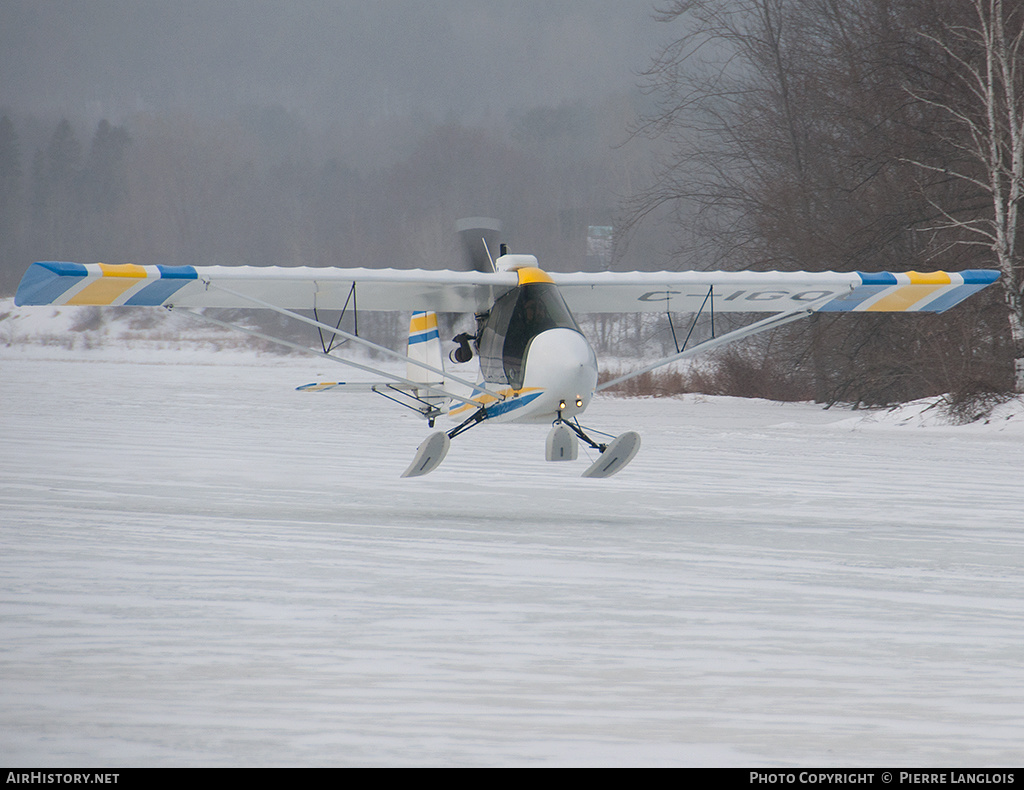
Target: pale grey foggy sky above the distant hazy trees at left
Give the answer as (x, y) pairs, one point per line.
(322, 60)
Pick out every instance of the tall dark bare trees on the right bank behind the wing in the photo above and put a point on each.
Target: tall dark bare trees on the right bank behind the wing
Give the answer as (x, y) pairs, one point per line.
(854, 135)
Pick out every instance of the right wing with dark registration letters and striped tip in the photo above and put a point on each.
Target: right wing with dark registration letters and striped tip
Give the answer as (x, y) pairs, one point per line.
(769, 292)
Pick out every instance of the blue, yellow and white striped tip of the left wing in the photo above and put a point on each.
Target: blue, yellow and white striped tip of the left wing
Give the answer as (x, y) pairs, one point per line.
(56, 282)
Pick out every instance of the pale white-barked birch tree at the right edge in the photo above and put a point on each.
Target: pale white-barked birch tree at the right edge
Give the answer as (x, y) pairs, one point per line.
(988, 53)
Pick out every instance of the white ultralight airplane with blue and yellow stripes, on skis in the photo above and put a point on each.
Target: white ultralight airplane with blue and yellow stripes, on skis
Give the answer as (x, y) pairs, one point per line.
(535, 363)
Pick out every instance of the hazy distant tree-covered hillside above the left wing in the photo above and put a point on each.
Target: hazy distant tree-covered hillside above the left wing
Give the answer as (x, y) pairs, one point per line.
(261, 189)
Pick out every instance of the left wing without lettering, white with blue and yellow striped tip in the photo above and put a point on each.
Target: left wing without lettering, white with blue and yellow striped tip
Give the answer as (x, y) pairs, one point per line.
(290, 288)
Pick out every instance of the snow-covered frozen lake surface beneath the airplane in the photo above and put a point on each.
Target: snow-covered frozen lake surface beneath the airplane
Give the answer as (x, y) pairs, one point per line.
(200, 566)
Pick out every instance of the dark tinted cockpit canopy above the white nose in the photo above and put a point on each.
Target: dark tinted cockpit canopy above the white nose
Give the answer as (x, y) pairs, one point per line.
(515, 320)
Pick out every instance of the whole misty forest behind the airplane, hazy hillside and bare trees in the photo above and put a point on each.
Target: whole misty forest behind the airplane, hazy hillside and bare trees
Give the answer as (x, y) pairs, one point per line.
(769, 135)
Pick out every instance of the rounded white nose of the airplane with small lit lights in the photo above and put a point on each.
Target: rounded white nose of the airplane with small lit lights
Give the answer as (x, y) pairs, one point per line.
(562, 363)
